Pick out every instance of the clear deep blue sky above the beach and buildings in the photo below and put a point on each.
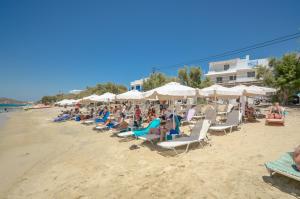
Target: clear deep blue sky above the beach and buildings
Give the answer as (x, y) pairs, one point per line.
(58, 45)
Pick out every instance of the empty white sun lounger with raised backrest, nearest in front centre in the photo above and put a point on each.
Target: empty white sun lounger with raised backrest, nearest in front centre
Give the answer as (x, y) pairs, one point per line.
(198, 135)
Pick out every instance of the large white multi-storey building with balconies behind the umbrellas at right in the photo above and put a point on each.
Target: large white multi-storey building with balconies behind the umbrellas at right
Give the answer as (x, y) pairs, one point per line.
(235, 71)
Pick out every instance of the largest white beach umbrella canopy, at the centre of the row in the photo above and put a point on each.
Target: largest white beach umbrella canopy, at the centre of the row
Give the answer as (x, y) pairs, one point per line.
(172, 90)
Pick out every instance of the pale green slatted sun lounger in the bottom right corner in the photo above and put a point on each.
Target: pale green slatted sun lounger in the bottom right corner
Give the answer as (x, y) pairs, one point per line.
(285, 165)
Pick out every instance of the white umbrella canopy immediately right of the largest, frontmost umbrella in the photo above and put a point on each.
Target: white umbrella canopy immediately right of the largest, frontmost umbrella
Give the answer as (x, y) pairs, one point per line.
(218, 91)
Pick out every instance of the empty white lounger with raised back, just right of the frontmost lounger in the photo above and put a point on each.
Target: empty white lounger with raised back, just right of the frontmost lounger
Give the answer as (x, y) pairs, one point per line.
(231, 122)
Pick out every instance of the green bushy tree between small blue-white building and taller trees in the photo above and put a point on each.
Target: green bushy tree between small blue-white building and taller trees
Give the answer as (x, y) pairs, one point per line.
(157, 79)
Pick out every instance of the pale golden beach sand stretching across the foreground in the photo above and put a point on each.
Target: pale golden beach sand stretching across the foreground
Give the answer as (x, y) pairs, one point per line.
(41, 159)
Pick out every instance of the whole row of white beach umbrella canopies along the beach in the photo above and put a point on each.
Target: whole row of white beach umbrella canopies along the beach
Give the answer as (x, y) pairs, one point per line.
(175, 91)
